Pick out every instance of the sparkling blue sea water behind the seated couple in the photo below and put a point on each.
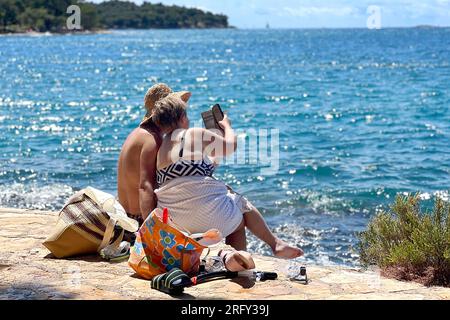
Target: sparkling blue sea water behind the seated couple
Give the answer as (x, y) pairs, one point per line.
(363, 115)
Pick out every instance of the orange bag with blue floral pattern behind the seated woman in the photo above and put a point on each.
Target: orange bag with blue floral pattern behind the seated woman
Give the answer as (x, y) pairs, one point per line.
(160, 247)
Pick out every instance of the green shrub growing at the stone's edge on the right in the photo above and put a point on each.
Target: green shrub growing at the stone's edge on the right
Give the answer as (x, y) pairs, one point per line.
(409, 243)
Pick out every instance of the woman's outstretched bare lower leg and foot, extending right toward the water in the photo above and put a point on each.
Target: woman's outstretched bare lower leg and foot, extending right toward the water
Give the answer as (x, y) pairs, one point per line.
(254, 221)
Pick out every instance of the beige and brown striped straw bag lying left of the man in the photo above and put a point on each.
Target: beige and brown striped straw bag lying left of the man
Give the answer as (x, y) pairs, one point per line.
(87, 224)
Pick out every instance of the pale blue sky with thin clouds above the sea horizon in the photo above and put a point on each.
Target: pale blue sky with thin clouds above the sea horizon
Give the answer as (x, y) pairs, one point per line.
(323, 13)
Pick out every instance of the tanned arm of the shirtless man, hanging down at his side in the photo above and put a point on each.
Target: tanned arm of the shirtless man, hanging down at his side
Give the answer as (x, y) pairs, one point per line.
(147, 198)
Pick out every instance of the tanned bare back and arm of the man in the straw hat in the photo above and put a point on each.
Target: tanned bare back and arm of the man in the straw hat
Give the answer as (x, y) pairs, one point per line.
(136, 171)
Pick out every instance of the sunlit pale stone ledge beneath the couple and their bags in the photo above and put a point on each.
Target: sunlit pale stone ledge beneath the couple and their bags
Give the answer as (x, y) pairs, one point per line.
(28, 272)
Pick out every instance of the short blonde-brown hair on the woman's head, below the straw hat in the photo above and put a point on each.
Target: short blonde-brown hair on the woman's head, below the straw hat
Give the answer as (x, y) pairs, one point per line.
(168, 112)
